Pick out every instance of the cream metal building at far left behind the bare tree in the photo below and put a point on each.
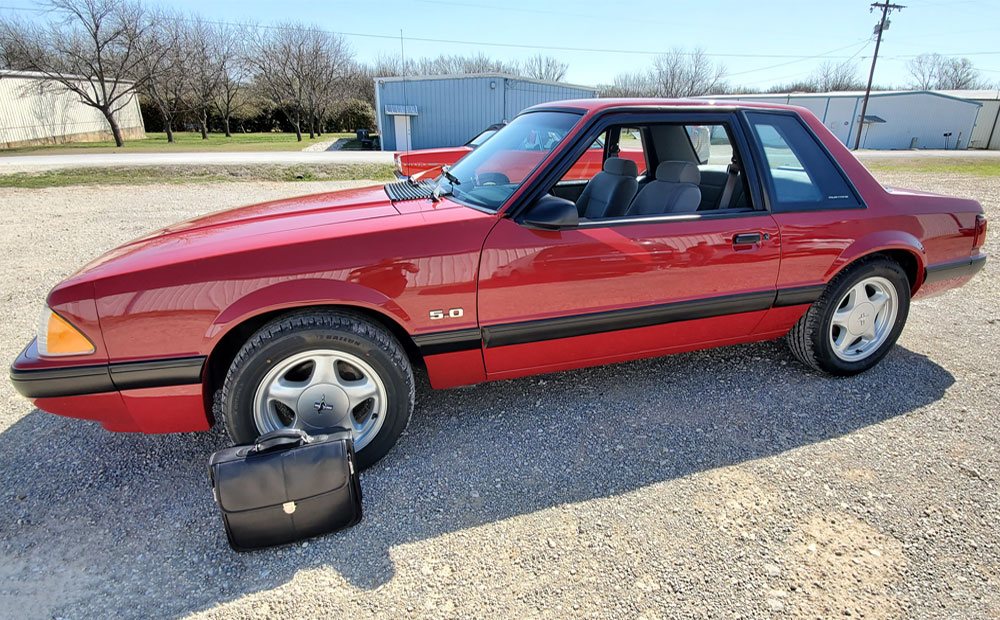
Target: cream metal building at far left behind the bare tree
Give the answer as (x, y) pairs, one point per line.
(35, 112)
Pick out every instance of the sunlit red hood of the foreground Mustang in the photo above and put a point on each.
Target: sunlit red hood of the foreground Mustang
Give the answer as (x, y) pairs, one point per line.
(251, 226)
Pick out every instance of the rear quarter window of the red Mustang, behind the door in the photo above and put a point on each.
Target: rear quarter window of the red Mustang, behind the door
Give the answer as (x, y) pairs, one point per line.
(799, 173)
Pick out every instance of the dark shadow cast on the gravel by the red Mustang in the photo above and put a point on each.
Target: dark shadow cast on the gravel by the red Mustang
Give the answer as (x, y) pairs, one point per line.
(130, 518)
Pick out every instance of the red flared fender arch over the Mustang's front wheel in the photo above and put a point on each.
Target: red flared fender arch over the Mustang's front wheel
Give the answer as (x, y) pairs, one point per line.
(298, 293)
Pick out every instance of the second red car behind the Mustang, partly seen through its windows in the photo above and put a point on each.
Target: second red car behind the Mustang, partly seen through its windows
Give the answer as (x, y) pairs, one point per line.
(427, 163)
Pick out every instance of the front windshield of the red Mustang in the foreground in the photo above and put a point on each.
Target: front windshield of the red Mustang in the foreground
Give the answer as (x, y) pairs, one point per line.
(487, 176)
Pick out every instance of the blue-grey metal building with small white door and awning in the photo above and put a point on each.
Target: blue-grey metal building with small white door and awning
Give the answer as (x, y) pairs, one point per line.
(449, 110)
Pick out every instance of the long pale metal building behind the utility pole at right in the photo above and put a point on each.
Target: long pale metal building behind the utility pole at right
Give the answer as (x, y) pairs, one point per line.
(900, 119)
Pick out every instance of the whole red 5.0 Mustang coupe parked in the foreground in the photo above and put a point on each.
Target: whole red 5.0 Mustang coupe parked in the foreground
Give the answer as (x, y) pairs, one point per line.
(756, 223)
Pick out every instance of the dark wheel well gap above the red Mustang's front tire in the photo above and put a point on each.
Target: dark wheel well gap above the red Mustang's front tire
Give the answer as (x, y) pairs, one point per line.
(229, 345)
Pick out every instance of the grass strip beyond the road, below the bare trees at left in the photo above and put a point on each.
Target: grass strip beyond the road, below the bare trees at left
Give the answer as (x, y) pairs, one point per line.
(184, 142)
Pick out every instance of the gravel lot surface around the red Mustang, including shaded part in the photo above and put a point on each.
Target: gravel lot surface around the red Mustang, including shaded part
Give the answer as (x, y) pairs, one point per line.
(725, 483)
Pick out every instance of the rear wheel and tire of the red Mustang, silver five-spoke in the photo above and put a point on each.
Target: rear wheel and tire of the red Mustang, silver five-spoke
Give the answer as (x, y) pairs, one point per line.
(818, 339)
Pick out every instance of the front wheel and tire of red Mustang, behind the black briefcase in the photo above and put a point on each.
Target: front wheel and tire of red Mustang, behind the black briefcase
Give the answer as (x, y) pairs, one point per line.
(288, 356)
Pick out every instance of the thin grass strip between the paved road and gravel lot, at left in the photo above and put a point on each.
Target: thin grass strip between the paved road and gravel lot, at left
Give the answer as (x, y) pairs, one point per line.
(196, 174)
